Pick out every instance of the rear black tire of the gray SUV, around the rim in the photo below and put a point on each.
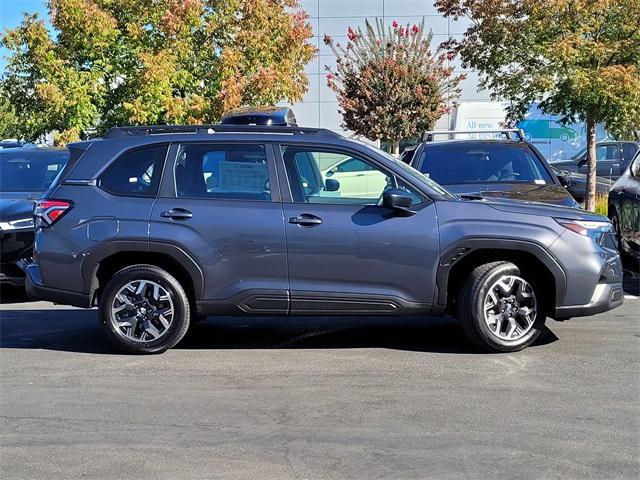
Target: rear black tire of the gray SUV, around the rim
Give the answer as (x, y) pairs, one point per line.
(181, 309)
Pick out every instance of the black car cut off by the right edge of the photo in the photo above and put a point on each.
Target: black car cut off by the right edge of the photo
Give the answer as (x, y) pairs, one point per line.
(624, 210)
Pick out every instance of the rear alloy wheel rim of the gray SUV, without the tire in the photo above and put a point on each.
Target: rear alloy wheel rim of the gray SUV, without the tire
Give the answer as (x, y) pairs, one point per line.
(142, 310)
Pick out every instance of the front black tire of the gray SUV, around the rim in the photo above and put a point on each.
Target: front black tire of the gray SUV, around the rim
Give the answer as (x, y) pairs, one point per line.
(471, 309)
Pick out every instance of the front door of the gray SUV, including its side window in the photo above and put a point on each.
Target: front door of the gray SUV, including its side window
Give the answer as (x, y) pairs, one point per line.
(348, 254)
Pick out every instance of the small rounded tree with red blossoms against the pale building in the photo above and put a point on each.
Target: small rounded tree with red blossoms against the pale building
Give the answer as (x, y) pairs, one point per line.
(389, 84)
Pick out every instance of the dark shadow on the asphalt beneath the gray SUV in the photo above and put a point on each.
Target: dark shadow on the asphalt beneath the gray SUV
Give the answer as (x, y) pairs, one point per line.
(78, 331)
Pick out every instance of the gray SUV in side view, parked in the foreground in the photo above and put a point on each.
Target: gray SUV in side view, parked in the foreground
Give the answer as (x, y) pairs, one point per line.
(162, 226)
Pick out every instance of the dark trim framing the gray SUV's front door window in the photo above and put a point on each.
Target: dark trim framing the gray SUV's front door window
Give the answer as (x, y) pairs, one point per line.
(287, 193)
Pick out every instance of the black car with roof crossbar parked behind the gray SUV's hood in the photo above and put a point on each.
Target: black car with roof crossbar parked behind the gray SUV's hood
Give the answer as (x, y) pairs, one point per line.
(507, 168)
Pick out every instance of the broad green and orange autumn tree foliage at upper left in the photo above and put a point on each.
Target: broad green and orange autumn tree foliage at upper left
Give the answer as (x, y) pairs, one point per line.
(115, 62)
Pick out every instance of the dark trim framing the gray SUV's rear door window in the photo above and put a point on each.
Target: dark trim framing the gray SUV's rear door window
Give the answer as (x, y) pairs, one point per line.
(169, 188)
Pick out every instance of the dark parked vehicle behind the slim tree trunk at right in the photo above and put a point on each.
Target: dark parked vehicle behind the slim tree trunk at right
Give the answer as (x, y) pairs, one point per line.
(612, 159)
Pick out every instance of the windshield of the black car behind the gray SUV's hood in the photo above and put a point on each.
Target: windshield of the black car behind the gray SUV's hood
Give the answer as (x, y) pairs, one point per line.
(455, 163)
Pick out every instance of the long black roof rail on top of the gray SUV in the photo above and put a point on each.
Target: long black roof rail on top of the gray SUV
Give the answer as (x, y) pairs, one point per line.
(117, 132)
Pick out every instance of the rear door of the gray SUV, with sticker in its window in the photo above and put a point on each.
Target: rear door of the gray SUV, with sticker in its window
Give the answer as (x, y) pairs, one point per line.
(221, 205)
